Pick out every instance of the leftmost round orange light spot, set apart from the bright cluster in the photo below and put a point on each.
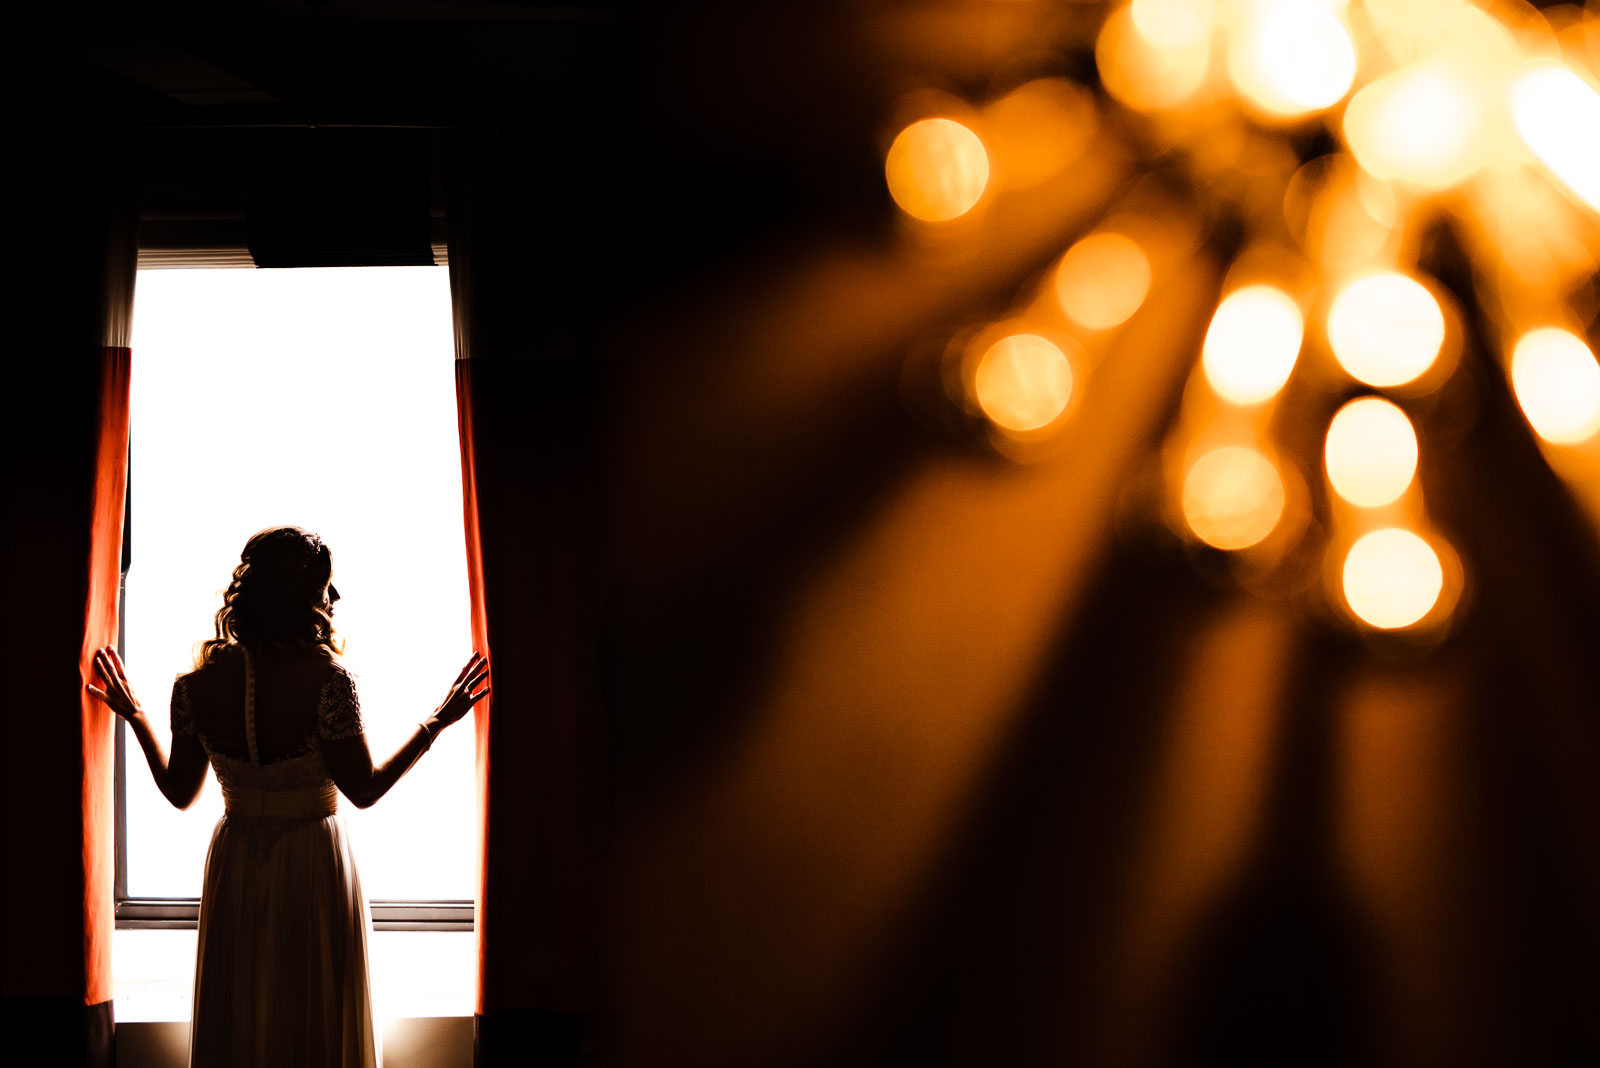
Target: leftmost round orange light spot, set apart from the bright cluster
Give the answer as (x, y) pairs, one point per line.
(937, 170)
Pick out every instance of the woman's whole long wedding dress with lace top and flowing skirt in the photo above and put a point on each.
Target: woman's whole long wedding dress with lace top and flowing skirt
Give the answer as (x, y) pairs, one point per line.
(281, 970)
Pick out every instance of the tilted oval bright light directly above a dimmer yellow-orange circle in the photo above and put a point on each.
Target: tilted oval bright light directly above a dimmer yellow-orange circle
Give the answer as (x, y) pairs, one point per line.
(1252, 345)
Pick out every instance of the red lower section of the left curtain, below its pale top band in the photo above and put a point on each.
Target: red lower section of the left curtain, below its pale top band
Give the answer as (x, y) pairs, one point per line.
(63, 565)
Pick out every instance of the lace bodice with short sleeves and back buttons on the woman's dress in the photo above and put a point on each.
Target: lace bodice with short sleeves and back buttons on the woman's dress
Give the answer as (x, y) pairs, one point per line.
(338, 717)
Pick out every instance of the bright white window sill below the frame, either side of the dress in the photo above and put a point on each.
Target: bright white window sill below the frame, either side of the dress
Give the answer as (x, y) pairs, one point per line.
(415, 974)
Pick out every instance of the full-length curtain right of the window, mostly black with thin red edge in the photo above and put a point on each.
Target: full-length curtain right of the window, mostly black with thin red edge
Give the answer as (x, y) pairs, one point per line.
(527, 447)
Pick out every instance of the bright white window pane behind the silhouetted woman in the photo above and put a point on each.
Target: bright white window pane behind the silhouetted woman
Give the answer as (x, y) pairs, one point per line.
(322, 399)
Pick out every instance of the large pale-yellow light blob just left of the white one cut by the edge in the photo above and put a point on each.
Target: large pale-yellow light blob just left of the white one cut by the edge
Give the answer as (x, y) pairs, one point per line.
(1420, 126)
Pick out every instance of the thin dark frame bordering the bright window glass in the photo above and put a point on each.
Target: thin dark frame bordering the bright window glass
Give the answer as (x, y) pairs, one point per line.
(185, 912)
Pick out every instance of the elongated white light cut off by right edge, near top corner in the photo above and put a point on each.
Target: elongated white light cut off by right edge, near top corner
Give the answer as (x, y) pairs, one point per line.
(1559, 116)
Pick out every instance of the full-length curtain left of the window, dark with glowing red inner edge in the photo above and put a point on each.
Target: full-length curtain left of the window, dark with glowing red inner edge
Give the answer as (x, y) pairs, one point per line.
(66, 450)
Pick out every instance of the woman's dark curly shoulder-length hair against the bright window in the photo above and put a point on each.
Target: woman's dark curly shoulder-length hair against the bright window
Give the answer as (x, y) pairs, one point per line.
(276, 597)
